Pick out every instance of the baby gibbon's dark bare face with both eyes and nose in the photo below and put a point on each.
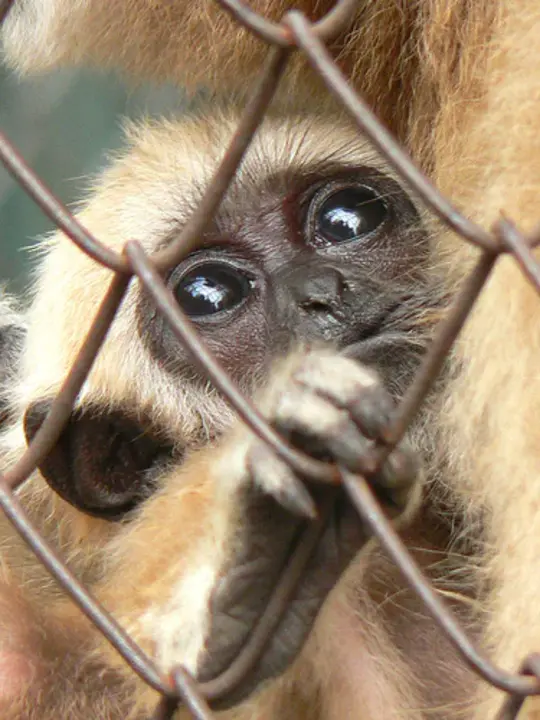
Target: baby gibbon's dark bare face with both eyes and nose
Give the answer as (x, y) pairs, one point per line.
(298, 257)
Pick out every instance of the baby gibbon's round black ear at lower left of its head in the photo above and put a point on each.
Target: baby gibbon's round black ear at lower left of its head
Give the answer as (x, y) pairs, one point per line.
(102, 463)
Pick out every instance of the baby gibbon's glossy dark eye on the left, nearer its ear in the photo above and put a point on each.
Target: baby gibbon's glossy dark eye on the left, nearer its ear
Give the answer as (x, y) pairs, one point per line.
(211, 288)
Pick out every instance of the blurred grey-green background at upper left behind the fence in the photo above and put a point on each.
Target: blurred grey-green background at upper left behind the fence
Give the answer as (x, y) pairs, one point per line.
(64, 125)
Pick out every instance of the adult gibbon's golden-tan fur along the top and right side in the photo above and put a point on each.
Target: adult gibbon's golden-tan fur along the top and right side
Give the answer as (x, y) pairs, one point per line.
(458, 81)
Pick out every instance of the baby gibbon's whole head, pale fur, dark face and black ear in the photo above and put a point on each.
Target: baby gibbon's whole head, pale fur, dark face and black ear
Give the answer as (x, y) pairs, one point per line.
(315, 242)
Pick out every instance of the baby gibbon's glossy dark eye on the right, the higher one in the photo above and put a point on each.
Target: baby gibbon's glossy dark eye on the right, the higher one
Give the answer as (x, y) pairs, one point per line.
(349, 214)
